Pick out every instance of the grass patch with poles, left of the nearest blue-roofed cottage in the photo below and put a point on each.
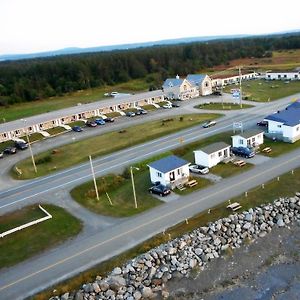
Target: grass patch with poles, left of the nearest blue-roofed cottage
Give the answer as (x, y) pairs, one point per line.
(120, 191)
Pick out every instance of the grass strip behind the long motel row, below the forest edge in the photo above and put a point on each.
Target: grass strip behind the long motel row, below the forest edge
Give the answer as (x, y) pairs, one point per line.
(24, 110)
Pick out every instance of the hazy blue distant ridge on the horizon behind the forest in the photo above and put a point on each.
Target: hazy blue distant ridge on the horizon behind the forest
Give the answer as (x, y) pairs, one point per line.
(74, 50)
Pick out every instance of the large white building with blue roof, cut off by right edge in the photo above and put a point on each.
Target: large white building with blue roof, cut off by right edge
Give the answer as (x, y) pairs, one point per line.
(285, 124)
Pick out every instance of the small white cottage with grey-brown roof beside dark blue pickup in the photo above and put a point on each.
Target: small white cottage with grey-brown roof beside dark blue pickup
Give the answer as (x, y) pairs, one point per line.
(251, 138)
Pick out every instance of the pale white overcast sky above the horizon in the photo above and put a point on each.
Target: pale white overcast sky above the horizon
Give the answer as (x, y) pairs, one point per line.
(28, 26)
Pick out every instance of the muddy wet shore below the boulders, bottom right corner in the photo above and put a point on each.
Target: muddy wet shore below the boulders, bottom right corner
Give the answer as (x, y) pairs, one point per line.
(268, 268)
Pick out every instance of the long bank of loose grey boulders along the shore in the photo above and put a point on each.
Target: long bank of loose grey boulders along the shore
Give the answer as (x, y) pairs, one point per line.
(144, 276)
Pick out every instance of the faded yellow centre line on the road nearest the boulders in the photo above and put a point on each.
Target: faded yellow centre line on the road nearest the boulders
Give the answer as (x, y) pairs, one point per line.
(194, 202)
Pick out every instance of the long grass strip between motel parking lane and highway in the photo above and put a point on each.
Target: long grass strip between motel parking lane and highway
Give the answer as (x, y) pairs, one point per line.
(77, 152)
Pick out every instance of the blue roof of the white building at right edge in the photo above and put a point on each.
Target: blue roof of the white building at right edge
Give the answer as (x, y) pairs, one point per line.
(290, 116)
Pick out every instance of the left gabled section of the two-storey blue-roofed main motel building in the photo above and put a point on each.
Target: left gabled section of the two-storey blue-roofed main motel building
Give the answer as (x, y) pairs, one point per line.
(181, 89)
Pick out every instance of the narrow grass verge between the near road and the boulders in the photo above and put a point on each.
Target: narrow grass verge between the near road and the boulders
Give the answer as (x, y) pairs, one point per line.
(287, 186)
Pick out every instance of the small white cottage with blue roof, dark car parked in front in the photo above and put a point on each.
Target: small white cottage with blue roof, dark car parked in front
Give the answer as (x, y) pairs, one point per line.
(169, 171)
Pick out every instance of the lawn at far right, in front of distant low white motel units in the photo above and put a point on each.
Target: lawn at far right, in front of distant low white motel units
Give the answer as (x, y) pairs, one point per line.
(263, 90)
